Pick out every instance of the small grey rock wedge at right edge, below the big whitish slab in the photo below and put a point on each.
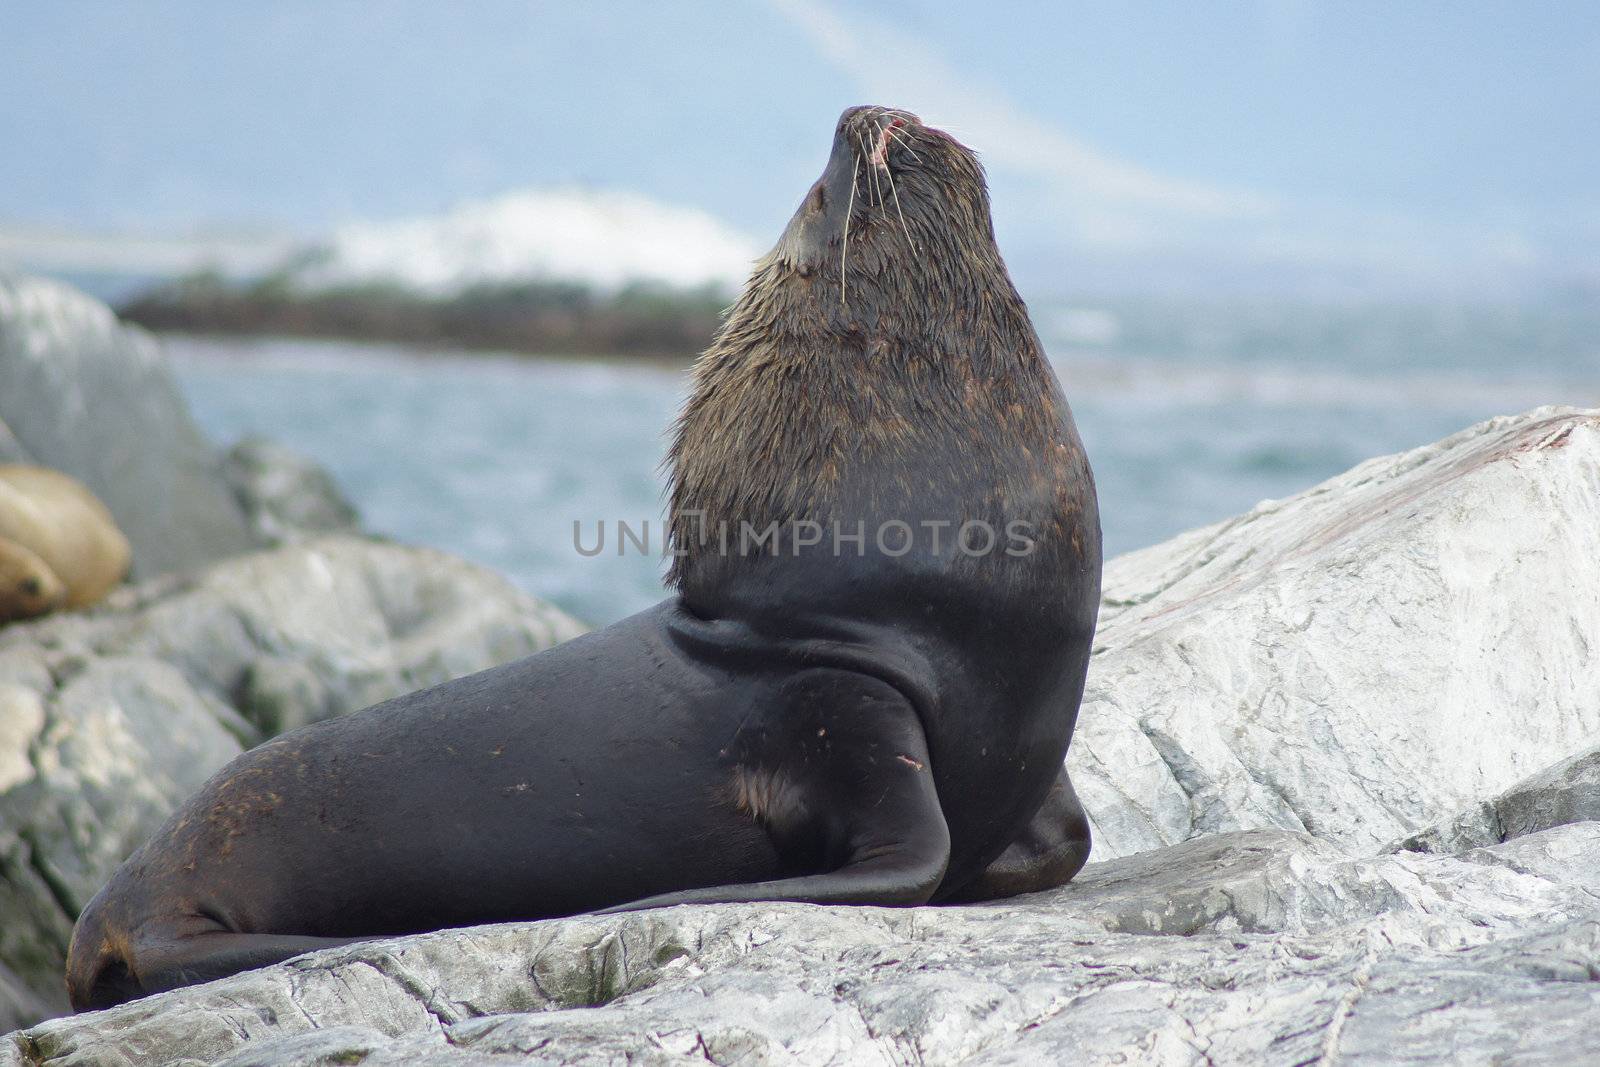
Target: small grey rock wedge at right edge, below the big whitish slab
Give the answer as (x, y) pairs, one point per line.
(1567, 793)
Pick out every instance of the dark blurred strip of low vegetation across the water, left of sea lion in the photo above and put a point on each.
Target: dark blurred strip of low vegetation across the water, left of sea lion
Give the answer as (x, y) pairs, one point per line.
(642, 321)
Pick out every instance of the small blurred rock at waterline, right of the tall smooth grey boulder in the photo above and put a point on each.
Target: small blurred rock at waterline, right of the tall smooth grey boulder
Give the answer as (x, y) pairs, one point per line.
(286, 497)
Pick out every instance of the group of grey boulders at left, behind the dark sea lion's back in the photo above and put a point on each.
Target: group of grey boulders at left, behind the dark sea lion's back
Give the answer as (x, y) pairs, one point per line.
(258, 607)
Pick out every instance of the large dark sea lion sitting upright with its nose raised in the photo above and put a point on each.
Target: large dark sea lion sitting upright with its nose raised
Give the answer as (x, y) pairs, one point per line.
(868, 706)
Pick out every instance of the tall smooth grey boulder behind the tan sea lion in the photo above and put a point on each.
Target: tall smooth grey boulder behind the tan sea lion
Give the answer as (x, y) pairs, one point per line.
(84, 394)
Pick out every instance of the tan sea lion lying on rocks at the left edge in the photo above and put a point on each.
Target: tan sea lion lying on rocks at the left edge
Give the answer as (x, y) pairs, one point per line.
(60, 548)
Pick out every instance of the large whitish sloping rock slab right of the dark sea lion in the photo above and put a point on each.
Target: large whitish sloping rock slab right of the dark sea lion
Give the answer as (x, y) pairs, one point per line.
(1361, 660)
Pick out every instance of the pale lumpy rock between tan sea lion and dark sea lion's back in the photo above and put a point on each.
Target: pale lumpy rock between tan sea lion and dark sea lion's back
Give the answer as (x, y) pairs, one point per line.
(108, 721)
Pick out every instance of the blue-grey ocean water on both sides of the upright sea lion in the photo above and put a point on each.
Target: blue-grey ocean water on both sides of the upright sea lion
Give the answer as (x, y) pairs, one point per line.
(1190, 415)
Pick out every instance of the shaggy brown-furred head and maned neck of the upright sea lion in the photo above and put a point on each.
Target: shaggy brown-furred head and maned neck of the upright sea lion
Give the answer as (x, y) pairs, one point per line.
(879, 358)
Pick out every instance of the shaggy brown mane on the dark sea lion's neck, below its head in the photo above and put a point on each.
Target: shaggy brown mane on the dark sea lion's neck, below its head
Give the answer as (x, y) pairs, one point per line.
(801, 402)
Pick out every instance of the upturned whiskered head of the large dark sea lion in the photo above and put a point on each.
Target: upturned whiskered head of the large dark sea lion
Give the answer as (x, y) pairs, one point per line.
(902, 209)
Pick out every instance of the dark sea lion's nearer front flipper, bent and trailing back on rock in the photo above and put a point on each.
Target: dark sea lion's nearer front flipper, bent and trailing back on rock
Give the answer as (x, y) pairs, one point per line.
(838, 773)
